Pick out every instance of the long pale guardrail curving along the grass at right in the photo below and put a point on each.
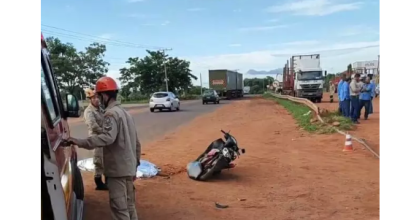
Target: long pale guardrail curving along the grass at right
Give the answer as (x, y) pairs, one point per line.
(317, 112)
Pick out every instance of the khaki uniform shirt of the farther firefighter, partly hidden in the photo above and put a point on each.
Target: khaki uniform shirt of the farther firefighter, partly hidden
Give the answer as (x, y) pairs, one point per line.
(94, 120)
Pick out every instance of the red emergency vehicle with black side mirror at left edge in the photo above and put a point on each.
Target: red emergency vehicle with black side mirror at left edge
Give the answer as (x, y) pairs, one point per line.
(61, 180)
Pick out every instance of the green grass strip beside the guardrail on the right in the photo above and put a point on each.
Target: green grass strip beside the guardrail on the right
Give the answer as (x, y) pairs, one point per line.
(305, 117)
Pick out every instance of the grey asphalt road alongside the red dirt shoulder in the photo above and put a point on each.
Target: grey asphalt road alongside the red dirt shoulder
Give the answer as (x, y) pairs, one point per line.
(153, 125)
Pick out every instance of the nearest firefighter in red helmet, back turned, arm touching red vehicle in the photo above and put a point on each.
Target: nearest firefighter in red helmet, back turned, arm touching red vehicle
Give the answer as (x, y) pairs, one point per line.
(121, 151)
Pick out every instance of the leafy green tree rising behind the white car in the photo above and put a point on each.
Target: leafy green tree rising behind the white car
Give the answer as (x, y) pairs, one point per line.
(148, 73)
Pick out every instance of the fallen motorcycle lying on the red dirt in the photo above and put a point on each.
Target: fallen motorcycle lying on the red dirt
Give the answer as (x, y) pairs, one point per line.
(218, 156)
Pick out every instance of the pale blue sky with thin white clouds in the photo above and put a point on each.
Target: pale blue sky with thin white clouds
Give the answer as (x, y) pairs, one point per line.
(231, 34)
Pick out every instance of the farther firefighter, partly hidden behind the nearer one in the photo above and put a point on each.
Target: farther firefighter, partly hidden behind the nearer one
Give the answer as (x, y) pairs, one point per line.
(93, 117)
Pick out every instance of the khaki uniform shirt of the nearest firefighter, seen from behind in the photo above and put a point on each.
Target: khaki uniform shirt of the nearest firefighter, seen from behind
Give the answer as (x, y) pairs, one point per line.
(119, 140)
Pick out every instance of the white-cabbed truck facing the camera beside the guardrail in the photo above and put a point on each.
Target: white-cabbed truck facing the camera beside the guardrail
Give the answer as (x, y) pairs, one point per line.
(303, 77)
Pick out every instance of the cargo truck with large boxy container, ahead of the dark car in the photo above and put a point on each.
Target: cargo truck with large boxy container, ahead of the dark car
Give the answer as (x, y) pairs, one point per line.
(228, 84)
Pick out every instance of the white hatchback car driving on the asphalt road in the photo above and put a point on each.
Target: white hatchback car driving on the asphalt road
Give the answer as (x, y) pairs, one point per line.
(164, 100)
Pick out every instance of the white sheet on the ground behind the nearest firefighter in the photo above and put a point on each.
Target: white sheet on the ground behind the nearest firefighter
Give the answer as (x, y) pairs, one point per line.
(145, 169)
